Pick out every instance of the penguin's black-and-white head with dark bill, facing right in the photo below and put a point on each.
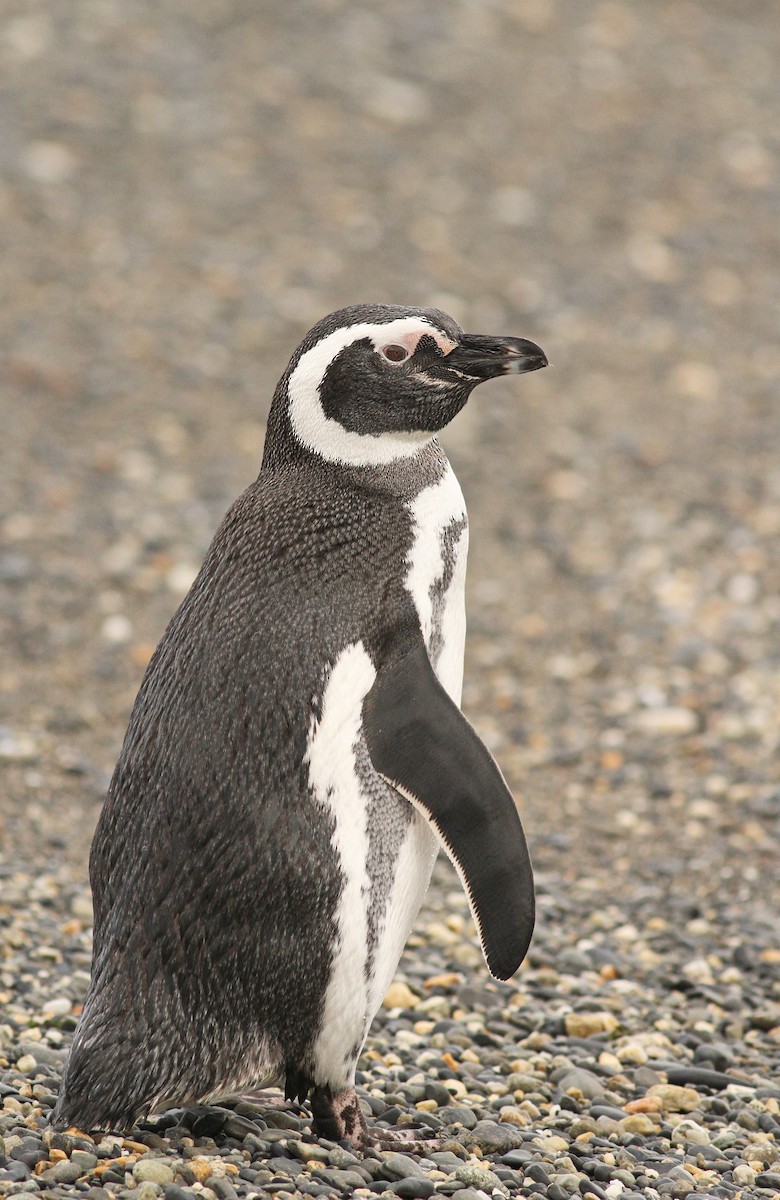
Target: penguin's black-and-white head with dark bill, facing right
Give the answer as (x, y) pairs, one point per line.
(375, 383)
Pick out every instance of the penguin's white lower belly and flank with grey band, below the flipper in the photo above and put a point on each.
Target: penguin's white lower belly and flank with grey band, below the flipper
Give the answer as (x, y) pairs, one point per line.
(386, 854)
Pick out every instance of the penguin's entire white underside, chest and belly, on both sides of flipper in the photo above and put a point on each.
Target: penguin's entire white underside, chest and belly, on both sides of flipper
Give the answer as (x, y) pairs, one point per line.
(377, 911)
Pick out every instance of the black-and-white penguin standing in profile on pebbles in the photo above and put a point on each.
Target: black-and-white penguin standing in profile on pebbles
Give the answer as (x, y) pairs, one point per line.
(297, 754)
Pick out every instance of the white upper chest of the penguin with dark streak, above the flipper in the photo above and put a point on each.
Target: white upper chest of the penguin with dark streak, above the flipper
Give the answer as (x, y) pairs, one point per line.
(436, 577)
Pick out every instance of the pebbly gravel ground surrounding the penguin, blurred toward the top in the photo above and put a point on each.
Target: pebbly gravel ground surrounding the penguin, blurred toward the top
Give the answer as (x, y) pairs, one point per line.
(185, 190)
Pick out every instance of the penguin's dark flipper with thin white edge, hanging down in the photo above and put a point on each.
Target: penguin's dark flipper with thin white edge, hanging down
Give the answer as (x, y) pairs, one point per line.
(423, 746)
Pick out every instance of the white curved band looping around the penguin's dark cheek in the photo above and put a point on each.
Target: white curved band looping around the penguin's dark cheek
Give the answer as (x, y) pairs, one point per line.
(322, 434)
